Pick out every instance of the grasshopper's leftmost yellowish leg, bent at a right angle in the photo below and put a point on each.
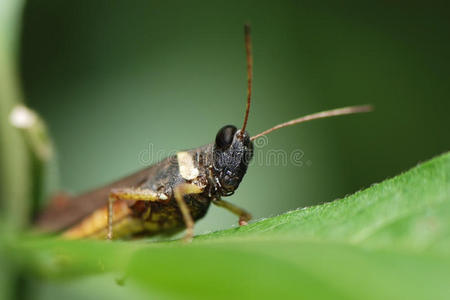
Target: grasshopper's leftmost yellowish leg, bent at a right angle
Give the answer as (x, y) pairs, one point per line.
(129, 194)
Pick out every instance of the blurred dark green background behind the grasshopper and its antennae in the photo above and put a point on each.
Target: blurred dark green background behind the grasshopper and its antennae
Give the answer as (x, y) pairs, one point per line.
(112, 77)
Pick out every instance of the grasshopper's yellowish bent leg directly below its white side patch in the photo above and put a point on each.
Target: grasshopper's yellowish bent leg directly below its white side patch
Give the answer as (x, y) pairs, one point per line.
(179, 192)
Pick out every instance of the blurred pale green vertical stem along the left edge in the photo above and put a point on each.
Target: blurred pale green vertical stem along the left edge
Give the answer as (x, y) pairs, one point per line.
(14, 155)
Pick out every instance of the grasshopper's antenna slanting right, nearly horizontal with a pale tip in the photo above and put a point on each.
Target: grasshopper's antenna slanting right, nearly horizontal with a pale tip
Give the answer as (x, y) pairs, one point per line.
(324, 114)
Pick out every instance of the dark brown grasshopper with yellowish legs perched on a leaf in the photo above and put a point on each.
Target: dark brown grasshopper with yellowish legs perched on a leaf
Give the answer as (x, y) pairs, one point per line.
(171, 195)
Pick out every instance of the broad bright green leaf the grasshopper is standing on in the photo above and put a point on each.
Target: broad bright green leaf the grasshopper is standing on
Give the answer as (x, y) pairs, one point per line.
(389, 241)
